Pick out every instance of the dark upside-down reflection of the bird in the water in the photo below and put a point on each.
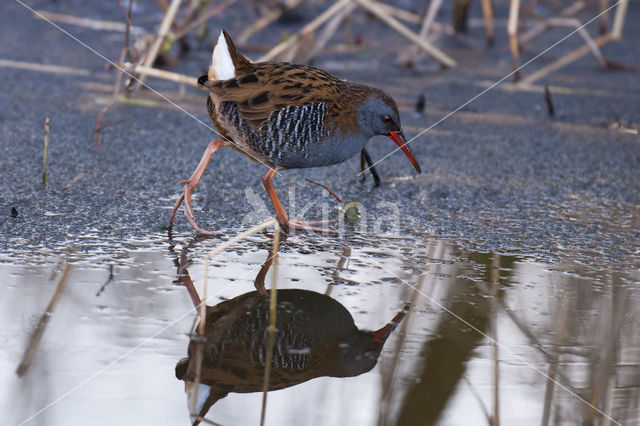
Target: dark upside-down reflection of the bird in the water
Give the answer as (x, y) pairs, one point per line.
(316, 337)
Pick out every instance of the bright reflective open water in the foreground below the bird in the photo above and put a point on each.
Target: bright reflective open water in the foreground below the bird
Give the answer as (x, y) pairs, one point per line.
(565, 334)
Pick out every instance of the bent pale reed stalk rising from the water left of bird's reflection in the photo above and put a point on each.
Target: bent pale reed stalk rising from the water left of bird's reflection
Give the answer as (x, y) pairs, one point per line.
(202, 308)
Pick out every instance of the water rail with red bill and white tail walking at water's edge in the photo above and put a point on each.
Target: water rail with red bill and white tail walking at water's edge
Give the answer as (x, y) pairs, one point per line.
(288, 116)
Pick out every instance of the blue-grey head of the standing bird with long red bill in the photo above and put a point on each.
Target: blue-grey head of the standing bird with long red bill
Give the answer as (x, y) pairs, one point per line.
(378, 115)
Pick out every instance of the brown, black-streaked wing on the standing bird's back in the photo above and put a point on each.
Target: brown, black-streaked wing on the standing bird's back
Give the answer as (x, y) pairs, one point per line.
(273, 86)
